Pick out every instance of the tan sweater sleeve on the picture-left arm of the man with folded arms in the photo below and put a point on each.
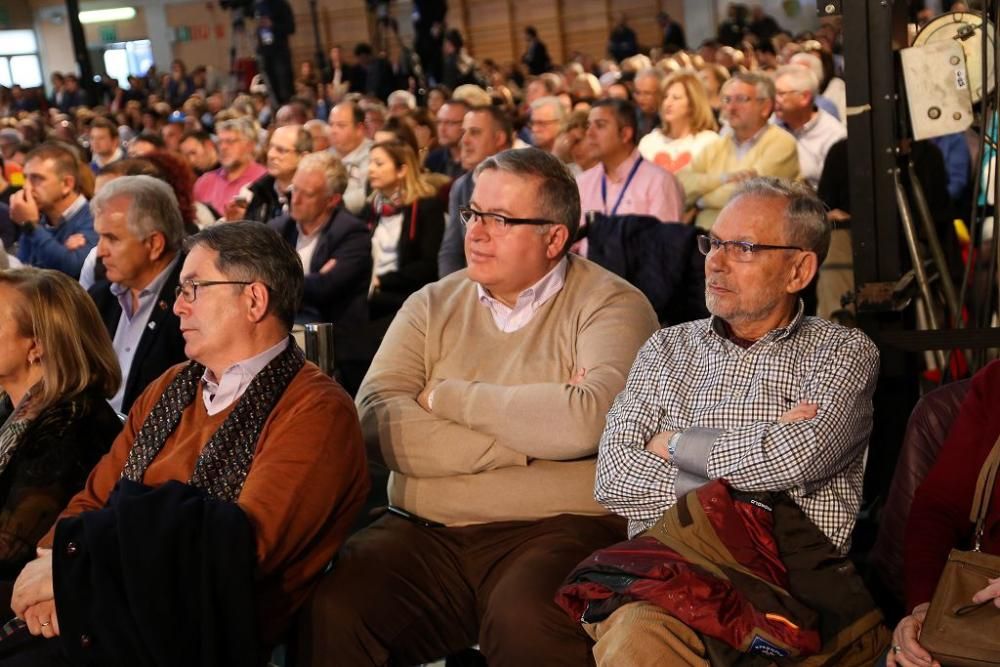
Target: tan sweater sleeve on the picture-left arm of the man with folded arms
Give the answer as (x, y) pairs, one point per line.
(398, 431)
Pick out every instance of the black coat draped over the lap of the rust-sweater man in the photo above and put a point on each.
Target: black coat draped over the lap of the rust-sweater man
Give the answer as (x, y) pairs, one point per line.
(159, 577)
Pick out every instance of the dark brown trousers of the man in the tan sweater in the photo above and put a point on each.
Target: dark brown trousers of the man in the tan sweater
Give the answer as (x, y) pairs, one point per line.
(402, 594)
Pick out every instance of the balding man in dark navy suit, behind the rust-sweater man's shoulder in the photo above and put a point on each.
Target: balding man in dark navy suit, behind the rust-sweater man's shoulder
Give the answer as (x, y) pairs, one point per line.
(336, 252)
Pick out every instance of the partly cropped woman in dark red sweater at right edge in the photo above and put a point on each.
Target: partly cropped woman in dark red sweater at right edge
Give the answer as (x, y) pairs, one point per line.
(939, 517)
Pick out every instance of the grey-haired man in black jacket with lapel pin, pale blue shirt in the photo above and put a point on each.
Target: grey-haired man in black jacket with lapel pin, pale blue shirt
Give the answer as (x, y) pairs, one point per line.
(140, 235)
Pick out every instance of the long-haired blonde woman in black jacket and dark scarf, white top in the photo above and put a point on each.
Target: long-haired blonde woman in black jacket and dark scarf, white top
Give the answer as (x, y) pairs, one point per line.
(406, 217)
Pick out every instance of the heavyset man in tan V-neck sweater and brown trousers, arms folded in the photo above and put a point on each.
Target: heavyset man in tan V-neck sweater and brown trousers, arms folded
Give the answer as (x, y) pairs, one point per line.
(486, 401)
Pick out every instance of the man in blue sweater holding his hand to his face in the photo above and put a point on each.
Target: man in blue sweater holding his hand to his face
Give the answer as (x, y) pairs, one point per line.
(57, 228)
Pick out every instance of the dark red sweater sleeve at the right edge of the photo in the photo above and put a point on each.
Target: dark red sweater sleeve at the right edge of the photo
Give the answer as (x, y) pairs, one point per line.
(939, 516)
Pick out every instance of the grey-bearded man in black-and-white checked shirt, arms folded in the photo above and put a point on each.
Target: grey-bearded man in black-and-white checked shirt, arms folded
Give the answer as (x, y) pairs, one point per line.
(757, 394)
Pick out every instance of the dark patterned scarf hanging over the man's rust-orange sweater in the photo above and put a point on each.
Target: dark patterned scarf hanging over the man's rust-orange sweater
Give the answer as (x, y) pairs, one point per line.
(223, 465)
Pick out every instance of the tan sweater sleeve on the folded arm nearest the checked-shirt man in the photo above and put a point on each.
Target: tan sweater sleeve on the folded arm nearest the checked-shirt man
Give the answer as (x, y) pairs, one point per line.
(558, 421)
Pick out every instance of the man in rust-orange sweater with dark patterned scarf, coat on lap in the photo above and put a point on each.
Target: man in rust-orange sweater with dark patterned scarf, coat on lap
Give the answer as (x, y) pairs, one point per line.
(248, 426)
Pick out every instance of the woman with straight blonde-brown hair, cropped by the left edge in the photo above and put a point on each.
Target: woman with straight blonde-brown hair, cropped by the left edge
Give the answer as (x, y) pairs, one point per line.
(57, 368)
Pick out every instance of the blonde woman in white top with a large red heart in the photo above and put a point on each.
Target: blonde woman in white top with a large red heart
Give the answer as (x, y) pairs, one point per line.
(687, 124)
